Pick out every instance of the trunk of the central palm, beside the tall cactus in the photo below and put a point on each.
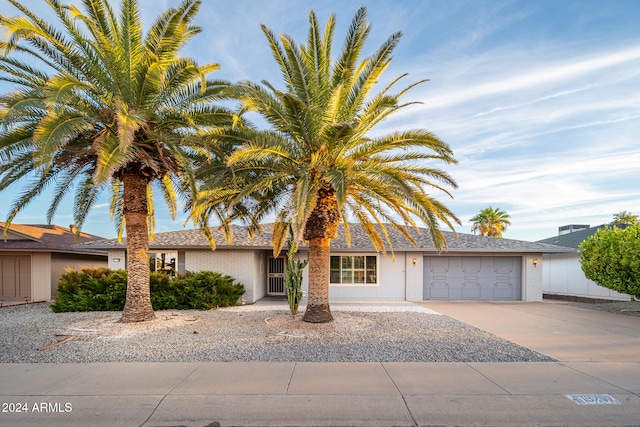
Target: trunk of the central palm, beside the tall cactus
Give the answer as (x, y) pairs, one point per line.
(320, 229)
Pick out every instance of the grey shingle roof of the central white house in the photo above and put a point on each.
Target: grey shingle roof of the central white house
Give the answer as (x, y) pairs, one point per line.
(193, 239)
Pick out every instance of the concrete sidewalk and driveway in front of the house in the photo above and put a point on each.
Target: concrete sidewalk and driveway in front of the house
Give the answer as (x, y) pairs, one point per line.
(598, 366)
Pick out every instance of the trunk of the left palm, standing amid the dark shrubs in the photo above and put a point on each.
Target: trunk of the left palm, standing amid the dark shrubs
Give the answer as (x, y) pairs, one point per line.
(137, 307)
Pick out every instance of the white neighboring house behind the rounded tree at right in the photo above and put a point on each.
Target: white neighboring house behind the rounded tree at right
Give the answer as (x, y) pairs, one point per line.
(562, 271)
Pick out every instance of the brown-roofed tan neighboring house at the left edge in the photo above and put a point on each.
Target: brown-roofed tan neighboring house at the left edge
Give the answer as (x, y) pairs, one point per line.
(33, 257)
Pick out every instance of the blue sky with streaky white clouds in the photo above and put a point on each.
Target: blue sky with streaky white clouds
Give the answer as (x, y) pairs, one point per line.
(539, 100)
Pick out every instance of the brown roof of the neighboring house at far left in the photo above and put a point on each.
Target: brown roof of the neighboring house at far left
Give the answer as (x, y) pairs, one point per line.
(46, 238)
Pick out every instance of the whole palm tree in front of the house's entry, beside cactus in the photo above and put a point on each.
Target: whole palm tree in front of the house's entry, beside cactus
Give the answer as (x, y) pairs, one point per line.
(320, 163)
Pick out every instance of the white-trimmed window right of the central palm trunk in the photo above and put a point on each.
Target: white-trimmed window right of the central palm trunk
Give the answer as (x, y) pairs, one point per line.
(354, 270)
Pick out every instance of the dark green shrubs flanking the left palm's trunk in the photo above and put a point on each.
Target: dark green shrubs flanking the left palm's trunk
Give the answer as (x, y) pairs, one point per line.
(102, 289)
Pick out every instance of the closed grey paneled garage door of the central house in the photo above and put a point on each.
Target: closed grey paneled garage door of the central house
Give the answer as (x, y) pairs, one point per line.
(476, 278)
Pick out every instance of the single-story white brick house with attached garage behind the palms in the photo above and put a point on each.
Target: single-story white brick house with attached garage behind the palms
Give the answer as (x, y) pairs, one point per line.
(473, 267)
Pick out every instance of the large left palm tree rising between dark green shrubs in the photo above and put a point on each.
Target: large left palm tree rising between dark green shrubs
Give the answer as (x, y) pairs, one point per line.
(97, 106)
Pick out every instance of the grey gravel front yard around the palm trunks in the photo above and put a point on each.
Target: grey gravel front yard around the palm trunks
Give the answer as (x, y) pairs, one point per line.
(365, 333)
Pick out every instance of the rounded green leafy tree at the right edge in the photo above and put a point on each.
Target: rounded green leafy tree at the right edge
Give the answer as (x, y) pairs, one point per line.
(611, 258)
